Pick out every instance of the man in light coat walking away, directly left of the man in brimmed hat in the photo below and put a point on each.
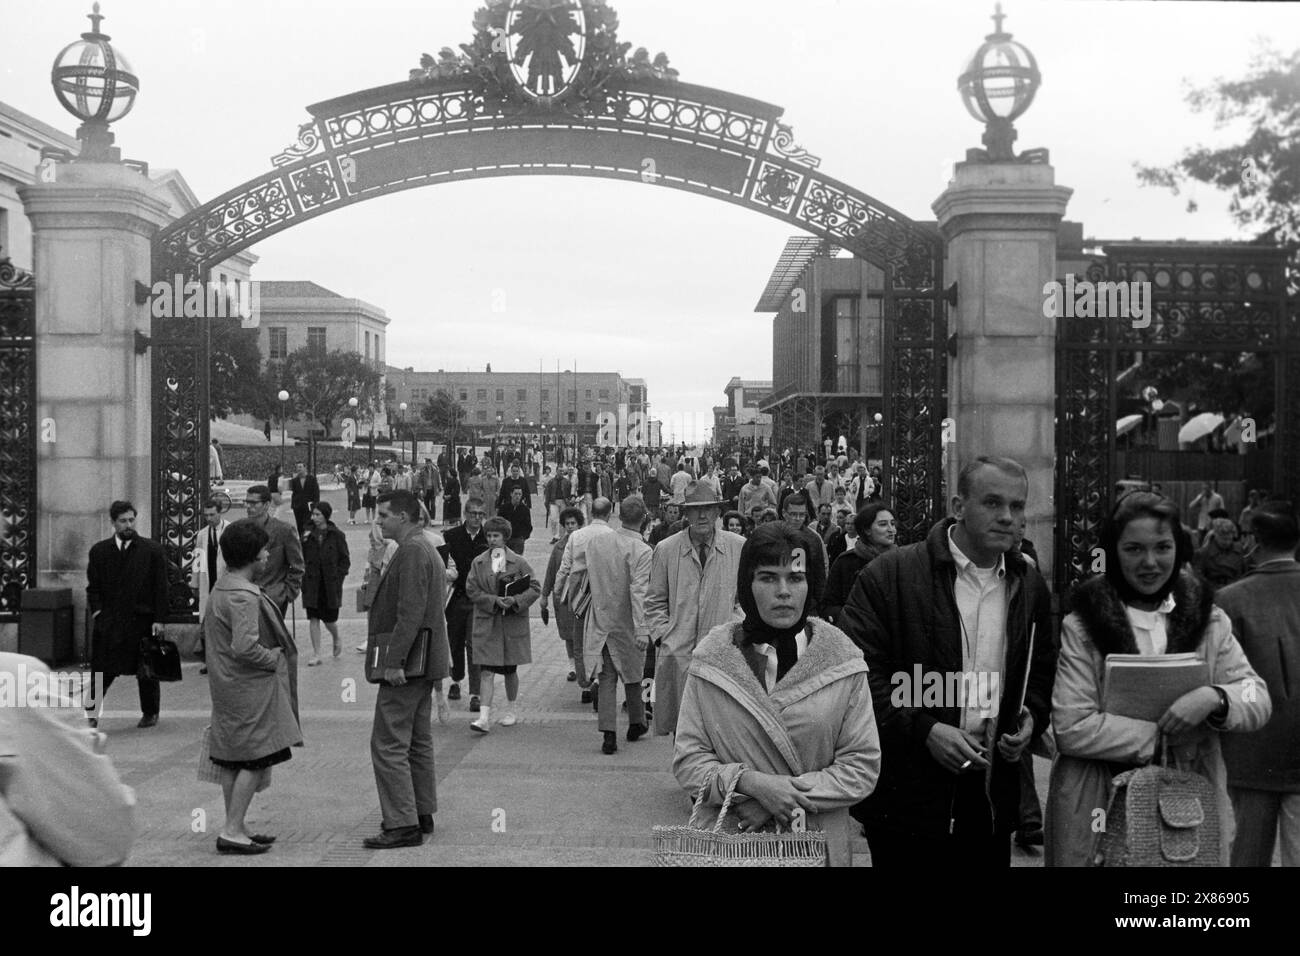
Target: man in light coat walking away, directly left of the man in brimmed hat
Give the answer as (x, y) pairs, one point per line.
(618, 634)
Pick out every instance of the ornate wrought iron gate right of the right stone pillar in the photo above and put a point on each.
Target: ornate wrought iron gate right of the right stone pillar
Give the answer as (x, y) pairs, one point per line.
(1217, 299)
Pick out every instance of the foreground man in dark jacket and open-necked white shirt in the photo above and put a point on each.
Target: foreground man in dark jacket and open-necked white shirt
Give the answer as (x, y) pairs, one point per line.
(946, 626)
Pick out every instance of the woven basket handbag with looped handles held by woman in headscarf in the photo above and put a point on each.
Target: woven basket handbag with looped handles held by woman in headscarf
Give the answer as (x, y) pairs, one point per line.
(694, 846)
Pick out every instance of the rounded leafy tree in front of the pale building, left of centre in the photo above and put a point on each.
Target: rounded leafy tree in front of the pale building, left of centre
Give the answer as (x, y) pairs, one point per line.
(320, 383)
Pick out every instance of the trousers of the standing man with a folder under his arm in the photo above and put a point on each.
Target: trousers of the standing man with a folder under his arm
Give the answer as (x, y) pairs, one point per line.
(402, 754)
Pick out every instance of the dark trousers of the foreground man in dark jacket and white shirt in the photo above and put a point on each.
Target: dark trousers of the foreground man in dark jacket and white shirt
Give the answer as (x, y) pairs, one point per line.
(972, 845)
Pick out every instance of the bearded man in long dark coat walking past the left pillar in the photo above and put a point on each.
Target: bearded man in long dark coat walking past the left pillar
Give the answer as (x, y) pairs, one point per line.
(127, 595)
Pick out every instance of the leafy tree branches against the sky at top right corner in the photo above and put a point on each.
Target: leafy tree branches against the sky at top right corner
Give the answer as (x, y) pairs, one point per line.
(1263, 172)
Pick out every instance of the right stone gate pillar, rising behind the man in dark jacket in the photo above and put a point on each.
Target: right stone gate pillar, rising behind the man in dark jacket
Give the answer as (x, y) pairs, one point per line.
(1000, 222)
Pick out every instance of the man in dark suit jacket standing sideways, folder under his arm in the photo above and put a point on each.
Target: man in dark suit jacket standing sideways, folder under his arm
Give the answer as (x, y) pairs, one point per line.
(409, 603)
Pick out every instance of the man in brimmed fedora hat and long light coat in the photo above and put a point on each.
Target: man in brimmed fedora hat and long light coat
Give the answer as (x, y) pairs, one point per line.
(692, 591)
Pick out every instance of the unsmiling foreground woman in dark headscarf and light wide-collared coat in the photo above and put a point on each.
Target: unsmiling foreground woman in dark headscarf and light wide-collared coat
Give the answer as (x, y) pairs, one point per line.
(779, 704)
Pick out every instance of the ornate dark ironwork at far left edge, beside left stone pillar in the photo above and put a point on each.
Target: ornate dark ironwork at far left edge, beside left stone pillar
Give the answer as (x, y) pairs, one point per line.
(18, 438)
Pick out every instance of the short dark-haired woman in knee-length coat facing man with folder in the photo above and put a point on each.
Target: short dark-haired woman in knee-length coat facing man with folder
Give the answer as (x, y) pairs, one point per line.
(253, 668)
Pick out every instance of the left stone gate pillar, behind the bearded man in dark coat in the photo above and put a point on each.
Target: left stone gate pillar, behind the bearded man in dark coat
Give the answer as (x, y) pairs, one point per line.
(92, 232)
